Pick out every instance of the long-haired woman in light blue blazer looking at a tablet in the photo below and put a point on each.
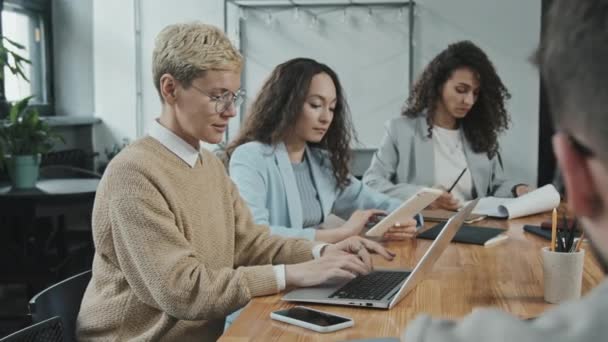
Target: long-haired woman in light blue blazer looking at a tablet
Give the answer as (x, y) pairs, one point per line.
(290, 161)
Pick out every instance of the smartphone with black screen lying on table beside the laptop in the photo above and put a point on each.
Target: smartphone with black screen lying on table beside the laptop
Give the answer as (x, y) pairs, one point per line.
(316, 320)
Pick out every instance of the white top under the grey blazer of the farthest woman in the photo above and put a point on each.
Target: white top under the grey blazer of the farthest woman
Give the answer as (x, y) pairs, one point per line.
(450, 161)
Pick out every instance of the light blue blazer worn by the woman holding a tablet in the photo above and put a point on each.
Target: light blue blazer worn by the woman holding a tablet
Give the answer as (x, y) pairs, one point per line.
(266, 181)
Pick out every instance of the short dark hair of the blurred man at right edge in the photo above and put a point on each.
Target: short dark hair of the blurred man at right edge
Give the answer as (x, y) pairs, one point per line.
(573, 60)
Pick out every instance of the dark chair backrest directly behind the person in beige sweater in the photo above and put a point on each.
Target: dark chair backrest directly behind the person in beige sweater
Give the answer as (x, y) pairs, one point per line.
(63, 300)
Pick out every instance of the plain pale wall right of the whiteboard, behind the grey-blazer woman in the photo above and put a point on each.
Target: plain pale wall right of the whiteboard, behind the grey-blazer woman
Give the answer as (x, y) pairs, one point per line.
(509, 32)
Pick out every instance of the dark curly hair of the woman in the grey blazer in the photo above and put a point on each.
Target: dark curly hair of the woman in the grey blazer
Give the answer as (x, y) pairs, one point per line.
(488, 116)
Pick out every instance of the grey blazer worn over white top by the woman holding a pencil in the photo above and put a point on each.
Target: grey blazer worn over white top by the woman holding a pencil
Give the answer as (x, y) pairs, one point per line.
(405, 162)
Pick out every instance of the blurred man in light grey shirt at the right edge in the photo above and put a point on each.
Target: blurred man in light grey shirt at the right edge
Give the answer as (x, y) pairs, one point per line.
(572, 60)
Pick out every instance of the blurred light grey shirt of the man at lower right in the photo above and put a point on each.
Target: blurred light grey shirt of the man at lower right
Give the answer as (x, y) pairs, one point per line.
(584, 320)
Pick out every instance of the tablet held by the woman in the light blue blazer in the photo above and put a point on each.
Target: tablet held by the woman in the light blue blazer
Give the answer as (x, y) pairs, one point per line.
(406, 210)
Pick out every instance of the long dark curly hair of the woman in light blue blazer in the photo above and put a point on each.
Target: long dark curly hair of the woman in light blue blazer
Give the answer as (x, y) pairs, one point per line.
(279, 103)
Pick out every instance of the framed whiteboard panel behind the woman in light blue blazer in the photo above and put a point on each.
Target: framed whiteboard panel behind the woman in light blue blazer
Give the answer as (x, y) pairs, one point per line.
(370, 54)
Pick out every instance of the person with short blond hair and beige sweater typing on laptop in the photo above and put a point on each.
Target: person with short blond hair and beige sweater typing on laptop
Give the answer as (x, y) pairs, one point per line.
(176, 248)
